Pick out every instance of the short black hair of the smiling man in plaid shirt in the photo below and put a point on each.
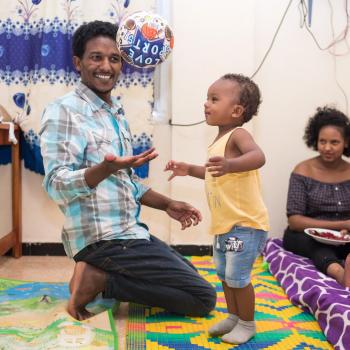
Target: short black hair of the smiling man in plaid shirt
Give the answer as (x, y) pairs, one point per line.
(89, 31)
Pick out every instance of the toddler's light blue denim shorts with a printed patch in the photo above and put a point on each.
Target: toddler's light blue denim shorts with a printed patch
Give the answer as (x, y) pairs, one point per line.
(235, 252)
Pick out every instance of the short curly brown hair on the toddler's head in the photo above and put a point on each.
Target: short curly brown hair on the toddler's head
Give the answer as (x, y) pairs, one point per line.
(250, 97)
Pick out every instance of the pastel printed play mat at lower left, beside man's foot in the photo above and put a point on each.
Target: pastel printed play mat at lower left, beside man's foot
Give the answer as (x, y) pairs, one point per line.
(33, 316)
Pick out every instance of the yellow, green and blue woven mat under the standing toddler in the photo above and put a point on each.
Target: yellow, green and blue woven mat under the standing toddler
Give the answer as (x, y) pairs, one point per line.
(280, 325)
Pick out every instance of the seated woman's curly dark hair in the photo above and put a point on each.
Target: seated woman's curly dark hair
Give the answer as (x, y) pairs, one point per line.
(326, 116)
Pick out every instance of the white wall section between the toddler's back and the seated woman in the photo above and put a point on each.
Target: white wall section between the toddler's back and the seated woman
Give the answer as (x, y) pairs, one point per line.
(296, 78)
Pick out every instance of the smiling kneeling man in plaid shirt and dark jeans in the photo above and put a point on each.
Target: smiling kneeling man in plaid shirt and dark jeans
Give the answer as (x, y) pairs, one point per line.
(86, 147)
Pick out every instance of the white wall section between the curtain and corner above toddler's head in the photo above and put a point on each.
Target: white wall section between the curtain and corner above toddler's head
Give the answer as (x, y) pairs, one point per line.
(211, 39)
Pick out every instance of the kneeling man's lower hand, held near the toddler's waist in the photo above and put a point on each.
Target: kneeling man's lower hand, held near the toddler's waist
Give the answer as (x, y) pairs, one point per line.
(184, 213)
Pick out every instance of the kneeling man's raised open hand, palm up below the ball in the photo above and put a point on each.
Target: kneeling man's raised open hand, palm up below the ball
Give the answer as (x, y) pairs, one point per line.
(116, 163)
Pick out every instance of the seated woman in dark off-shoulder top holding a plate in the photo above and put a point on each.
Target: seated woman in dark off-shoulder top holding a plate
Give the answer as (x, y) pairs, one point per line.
(319, 194)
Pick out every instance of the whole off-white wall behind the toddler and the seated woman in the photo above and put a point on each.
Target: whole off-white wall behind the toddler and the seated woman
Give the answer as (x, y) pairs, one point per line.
(233, 36)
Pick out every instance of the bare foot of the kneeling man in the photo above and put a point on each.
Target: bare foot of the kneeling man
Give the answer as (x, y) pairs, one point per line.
(86, 283)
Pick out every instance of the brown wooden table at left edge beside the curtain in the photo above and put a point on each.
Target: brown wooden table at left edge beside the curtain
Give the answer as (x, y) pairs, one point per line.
(13, 240)
